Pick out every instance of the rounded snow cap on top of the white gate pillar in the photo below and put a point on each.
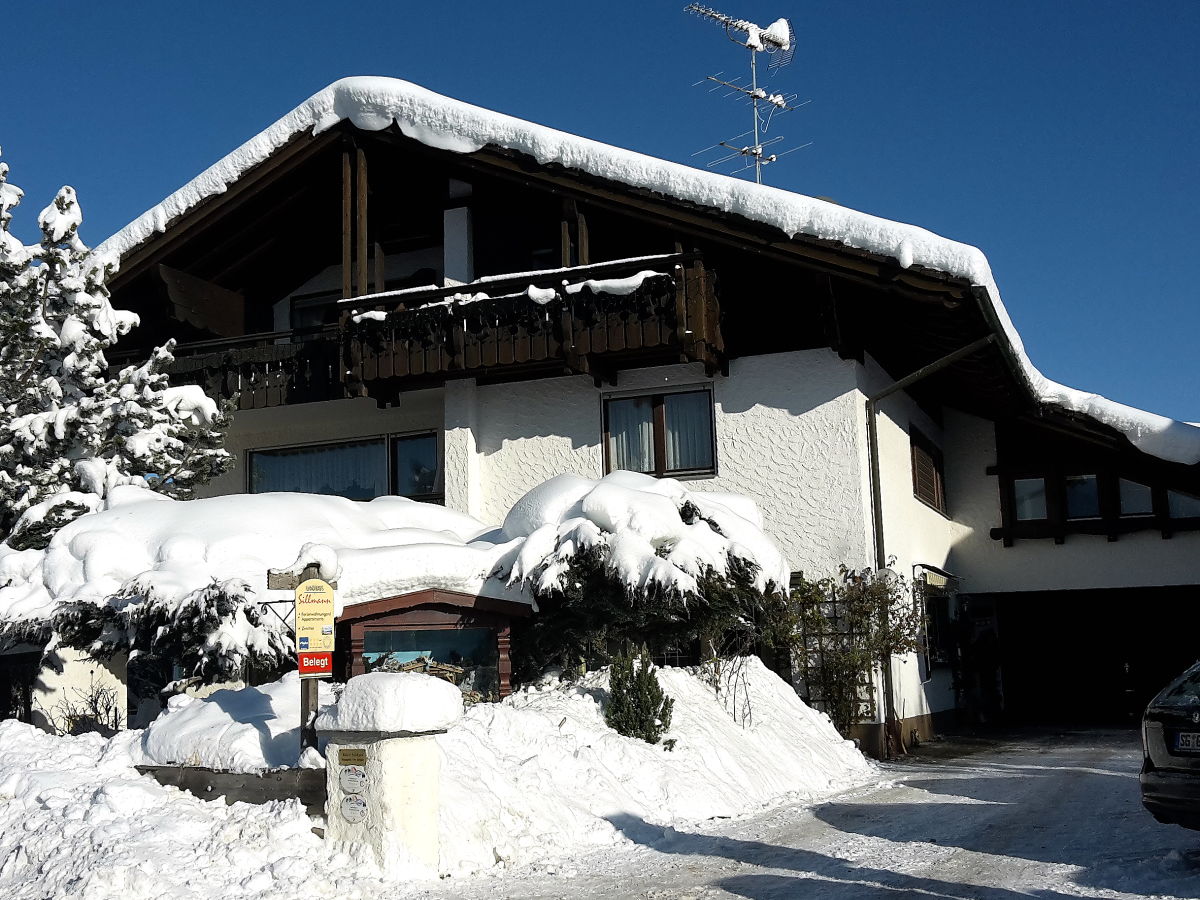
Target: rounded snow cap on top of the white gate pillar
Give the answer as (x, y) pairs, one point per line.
(394, 703)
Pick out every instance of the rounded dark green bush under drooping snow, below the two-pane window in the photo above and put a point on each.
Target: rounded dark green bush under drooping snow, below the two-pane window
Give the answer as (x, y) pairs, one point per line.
(638, 561)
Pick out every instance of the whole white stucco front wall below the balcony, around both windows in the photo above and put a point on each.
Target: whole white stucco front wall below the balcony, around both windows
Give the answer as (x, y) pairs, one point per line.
(789, 435)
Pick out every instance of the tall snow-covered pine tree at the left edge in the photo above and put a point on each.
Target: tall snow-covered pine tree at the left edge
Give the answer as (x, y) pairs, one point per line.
(70, 433)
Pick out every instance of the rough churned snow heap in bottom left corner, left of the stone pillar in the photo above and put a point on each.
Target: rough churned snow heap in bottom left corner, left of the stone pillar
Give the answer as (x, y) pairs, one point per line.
(77, 820)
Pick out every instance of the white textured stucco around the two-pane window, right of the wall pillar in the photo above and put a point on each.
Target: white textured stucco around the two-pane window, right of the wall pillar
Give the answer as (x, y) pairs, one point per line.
(787, 436)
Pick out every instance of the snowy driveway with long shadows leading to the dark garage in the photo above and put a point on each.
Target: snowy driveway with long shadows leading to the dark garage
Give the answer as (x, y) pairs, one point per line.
(1048, 817)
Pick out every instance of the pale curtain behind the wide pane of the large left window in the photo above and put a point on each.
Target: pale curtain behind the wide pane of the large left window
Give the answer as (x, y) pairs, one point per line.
(356, 471)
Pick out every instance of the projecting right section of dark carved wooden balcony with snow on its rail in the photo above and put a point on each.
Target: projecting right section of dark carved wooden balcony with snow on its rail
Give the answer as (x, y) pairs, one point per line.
(580, 321)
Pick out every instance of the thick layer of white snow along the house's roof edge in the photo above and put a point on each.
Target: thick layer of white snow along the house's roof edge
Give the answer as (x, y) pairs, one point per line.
(374, 104)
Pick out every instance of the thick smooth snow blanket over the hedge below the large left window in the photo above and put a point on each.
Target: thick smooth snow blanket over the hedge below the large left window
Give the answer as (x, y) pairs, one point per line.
(145, 547)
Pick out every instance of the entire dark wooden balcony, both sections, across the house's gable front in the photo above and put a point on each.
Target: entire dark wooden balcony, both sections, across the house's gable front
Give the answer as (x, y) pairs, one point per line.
(567, 321)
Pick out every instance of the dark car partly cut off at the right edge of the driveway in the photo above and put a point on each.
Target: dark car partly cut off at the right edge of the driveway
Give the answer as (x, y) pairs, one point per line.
(1171, 740)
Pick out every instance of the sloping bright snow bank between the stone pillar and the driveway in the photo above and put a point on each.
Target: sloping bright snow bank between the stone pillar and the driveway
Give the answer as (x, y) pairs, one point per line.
(527, 779)
